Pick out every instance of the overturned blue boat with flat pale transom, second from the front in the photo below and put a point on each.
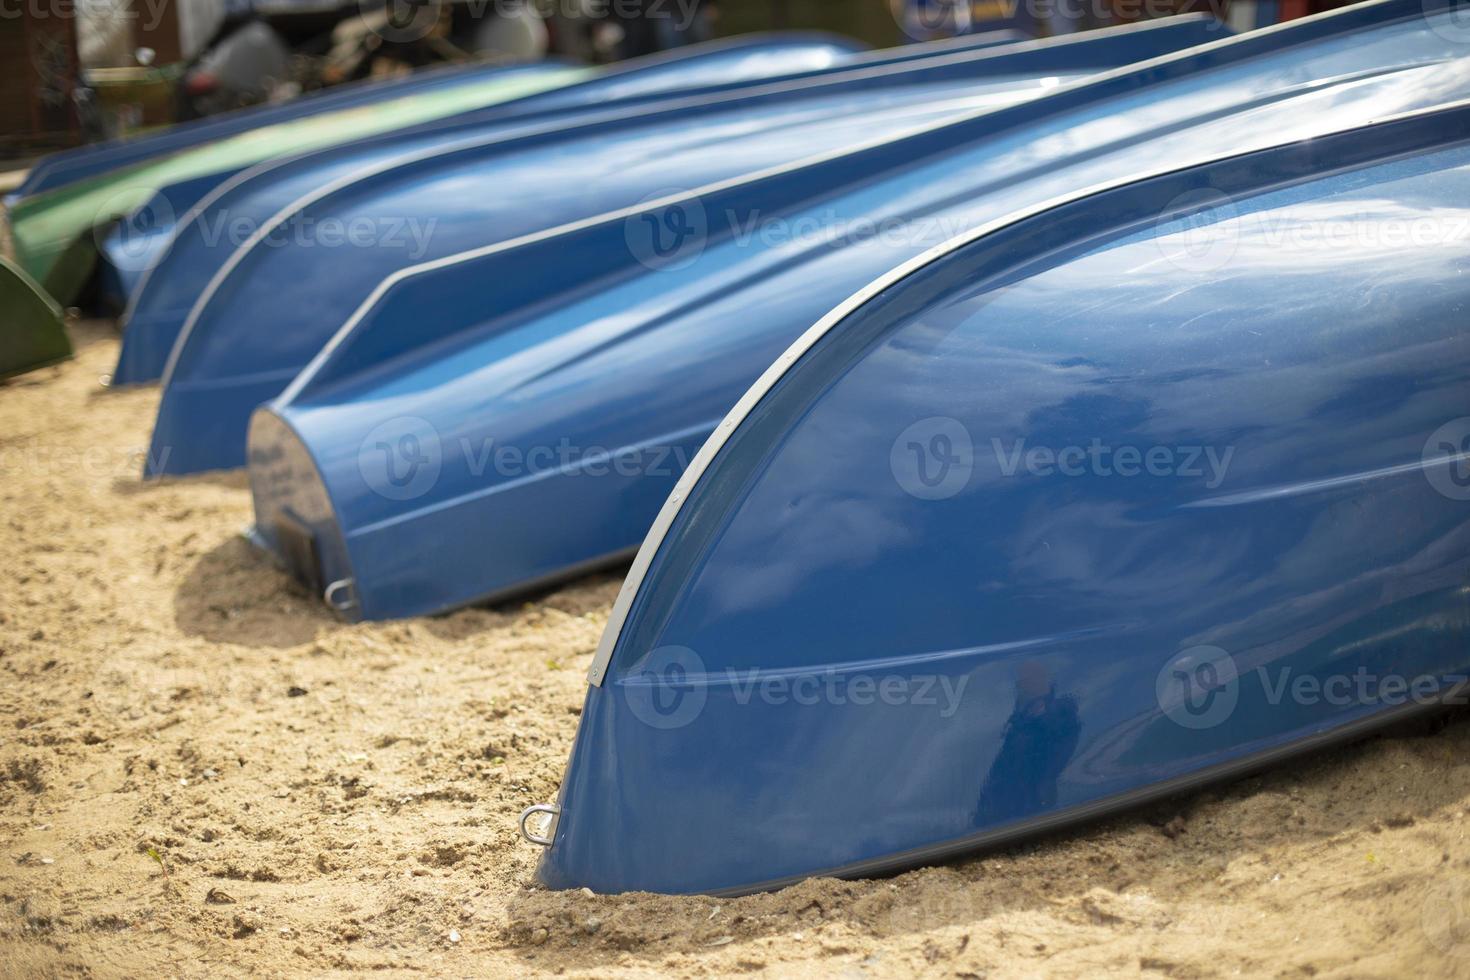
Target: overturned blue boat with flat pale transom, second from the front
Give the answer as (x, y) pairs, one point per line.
(531, 427)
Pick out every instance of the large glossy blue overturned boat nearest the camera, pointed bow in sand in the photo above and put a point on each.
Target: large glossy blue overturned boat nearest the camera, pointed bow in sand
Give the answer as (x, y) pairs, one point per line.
(1144, 487)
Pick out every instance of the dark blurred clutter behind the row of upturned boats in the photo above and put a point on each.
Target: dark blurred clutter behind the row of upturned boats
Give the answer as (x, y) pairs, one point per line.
(82, 71)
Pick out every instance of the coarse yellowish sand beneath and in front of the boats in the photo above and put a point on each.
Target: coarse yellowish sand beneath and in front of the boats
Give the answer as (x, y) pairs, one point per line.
(202, 774)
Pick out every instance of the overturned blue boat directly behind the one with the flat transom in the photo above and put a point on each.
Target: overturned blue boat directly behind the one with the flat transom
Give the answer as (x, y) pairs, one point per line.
(264, 320)
